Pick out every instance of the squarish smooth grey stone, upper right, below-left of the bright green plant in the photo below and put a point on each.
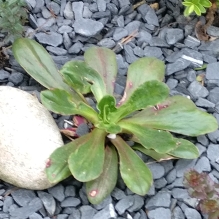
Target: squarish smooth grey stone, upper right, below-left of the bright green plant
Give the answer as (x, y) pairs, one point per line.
(174, 35)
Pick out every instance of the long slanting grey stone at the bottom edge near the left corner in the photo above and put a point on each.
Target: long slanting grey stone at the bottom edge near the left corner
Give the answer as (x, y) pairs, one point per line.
(24, 212)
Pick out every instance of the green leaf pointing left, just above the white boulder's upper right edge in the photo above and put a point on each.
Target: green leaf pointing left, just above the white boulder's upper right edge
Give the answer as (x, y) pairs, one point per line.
(60, 101)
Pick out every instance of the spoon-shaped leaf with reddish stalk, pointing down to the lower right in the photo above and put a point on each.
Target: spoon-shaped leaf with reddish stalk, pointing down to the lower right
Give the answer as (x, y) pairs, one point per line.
(136, 175)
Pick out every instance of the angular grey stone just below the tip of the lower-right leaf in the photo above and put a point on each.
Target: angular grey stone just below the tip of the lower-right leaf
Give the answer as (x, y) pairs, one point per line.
(161, 199)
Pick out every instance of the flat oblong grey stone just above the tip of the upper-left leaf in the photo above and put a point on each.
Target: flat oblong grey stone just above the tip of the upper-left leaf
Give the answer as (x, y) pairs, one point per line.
(51, 38)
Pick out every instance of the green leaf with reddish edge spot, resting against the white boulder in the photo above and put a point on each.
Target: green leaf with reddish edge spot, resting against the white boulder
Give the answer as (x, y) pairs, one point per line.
(57, 165)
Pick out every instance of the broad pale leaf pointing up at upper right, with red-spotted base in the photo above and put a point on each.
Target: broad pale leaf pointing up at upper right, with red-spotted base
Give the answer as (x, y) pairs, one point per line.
(140, 71)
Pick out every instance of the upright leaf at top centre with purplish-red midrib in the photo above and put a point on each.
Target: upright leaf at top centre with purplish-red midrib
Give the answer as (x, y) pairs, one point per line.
(103, 60)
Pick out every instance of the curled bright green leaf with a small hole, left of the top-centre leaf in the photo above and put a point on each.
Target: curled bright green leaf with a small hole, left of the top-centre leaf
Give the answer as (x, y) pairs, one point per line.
(83, 78)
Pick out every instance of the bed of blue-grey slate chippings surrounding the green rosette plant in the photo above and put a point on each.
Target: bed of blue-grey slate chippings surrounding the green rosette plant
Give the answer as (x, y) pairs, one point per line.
(164, 33)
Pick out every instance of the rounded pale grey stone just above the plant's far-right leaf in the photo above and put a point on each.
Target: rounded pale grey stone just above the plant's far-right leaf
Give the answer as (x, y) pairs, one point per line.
(197, 90)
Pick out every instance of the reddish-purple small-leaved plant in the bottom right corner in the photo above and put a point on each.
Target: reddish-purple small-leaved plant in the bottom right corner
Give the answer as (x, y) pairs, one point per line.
(202, 187)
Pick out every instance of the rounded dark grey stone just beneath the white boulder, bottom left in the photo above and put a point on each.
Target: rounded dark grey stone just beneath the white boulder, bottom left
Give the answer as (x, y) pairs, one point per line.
(23, 196)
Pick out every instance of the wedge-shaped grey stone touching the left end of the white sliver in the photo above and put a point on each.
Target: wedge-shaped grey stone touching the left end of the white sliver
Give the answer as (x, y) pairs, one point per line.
(178, 65)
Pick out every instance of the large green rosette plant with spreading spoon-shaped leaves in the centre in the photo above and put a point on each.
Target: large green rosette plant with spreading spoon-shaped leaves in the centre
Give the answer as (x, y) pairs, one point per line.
(145, 113)
